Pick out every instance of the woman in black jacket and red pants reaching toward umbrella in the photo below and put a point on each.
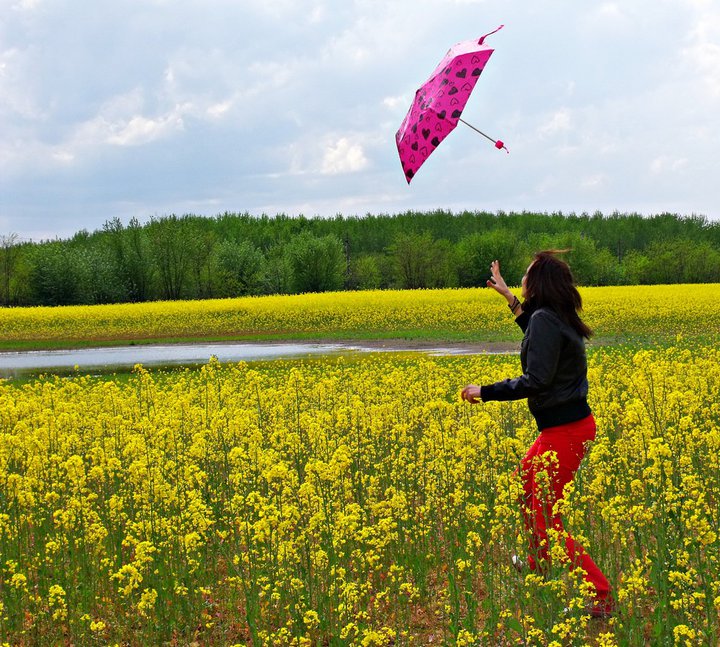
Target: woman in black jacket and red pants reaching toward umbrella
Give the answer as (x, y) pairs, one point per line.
(554, 381)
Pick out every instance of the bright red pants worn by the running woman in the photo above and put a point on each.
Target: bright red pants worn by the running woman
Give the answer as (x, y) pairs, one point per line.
(541, 492)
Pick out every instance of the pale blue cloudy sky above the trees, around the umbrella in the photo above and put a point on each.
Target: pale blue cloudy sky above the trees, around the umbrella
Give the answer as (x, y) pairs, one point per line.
(146, 108)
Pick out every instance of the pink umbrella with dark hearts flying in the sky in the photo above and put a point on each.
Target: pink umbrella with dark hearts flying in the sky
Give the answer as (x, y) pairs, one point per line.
(439, 102)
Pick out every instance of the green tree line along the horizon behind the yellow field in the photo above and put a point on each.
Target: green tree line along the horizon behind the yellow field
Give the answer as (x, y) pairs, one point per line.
(194, 257)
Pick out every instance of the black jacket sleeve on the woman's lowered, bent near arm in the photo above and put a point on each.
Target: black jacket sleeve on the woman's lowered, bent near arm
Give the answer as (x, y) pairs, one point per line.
(544, 344)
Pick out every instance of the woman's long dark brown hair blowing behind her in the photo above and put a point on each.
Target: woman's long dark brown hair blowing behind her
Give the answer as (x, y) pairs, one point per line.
(550, 284)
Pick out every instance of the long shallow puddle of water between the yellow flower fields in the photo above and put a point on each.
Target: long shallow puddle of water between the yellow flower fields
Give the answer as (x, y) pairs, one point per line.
(23, 362)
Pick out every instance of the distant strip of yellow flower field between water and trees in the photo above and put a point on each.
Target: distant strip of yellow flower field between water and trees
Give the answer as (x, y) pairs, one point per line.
(465, 314)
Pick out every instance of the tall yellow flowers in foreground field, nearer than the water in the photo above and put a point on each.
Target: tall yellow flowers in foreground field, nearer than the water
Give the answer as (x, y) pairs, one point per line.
(351, 501)
